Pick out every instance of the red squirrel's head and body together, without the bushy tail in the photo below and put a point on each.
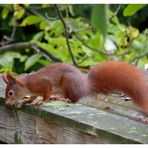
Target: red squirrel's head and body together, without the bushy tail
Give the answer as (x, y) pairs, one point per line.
(69, 79)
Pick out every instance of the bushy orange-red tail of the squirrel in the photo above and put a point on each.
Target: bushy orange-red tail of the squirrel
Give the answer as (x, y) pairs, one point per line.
(118, 76)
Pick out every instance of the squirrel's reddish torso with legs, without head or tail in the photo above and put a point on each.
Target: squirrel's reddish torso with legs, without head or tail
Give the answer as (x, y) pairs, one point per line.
(64, 76)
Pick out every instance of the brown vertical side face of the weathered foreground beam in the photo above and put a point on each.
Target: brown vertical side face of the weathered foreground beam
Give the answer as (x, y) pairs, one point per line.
(32, 129)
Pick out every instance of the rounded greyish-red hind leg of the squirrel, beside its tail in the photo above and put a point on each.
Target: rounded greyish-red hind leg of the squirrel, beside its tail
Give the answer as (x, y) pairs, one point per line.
(73, 87)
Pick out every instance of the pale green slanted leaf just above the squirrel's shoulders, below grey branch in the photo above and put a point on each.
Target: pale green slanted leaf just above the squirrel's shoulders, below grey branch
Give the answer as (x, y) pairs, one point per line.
(32, 60)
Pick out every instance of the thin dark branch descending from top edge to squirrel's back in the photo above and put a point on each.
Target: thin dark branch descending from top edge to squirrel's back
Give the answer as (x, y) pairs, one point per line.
(66, 34)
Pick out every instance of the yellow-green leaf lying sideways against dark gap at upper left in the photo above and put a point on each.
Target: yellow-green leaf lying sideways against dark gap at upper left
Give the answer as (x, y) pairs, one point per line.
(30, 20)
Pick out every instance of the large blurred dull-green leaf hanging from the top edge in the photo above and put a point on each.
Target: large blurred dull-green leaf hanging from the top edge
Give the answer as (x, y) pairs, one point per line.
(99, 18)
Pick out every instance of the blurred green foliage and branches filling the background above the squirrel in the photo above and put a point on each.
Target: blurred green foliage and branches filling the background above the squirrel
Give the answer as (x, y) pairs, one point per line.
(32, 36)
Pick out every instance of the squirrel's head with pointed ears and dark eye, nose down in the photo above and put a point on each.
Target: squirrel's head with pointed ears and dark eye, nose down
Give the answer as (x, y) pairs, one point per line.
(14, 89)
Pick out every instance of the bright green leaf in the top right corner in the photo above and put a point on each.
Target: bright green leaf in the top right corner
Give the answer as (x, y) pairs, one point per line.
(132, 9)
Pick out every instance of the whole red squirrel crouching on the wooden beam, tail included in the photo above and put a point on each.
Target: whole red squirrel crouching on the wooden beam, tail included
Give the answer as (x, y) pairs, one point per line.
(73, 84)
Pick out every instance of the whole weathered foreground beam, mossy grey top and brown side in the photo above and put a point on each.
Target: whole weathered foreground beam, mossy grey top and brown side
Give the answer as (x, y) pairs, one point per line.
(48, 124)
